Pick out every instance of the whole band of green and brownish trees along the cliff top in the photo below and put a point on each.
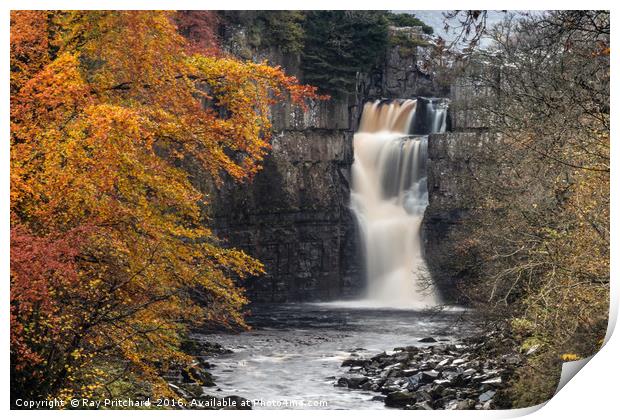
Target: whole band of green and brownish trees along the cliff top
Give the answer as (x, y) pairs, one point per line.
(334, 45)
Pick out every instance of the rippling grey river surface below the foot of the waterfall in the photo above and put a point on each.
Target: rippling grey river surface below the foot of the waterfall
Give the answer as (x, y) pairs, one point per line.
(294, 352)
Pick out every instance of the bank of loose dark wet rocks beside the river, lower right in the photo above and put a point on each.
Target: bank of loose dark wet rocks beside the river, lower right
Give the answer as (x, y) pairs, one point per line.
(469, 374)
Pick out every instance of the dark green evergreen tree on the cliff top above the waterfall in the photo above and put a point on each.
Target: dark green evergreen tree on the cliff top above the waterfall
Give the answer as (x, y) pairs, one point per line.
(339, 44)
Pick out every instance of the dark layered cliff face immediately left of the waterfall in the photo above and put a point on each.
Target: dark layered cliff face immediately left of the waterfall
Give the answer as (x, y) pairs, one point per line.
(294, 217)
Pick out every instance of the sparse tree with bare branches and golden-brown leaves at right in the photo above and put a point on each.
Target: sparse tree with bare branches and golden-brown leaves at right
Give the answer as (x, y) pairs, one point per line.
(544, 91)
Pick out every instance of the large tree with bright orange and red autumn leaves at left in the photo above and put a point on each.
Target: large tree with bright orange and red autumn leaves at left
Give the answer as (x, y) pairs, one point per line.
(109, 240)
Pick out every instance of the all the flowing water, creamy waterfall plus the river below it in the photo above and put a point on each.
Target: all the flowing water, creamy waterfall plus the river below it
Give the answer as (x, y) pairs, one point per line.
(294, 353)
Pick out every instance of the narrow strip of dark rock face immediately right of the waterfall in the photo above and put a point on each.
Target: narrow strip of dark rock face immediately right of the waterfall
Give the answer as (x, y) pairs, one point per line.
(455, 160)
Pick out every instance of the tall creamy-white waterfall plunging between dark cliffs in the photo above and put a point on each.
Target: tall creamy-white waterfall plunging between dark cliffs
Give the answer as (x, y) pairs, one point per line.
(389, 196)
